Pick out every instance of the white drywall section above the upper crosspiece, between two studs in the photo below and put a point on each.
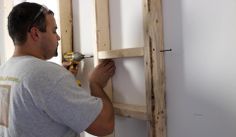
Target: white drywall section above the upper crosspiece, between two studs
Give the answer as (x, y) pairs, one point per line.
(126, 23)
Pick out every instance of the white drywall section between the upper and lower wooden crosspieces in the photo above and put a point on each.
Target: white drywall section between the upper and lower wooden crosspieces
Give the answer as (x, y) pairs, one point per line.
(129, 82)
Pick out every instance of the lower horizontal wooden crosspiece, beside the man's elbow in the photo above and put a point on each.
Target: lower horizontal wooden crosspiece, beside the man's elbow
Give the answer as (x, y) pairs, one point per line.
(133, 111)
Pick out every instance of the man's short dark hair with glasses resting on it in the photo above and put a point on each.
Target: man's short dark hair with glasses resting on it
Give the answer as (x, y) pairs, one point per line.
(23, 17)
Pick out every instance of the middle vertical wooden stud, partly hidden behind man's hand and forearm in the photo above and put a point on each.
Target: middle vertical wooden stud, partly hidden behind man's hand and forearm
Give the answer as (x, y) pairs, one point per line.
(103, 37)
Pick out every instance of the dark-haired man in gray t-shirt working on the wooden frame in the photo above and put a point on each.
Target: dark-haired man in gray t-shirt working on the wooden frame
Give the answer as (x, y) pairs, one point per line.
(42, 99)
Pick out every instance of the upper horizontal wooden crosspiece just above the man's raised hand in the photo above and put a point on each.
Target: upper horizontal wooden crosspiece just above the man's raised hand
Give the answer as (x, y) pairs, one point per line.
(121, 53)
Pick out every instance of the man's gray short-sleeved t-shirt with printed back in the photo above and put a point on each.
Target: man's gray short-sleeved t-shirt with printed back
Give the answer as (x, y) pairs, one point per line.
(42, 99)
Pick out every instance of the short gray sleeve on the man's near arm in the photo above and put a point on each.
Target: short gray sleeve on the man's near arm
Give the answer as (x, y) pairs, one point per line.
(71, 105)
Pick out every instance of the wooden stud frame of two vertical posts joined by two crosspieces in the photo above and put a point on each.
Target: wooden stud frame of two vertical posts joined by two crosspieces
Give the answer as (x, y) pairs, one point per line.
(155, 110)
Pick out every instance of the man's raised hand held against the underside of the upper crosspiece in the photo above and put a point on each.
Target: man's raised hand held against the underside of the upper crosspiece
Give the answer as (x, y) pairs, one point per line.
(103, 72)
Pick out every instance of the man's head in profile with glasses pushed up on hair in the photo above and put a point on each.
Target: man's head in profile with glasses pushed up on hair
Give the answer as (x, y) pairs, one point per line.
(36, 22)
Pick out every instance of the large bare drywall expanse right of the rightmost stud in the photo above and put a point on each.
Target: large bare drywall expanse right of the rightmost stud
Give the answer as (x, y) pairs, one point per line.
(201, 69)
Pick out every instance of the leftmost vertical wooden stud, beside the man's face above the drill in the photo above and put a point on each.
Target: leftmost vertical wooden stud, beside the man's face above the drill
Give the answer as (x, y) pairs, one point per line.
(66, 25)
